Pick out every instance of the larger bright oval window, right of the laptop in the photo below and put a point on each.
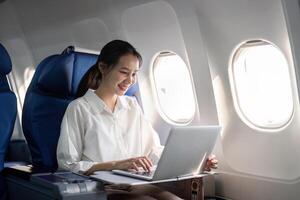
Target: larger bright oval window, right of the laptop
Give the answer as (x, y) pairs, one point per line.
(261, 84)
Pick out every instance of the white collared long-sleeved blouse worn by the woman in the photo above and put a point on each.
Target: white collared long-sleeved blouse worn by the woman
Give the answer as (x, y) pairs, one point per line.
(91, 133)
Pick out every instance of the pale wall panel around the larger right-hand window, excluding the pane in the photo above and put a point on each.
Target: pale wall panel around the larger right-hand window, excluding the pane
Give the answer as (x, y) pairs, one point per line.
(254, 164)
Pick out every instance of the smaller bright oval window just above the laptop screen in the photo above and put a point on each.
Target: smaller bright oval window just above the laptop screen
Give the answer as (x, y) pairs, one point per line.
(174, 89)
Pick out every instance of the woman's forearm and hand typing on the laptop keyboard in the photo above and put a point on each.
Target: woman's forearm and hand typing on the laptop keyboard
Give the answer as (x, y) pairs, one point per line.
(128, 164)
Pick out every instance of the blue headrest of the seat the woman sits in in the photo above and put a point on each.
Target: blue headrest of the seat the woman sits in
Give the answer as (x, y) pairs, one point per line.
(62, 74)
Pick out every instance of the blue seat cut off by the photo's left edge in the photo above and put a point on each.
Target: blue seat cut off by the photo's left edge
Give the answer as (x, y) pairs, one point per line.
(8, 105)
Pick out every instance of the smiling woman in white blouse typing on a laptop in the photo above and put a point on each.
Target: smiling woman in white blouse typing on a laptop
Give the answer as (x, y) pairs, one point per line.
(105, 130)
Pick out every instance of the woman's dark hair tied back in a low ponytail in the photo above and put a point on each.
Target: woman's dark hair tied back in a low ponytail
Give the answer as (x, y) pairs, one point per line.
(109, 55)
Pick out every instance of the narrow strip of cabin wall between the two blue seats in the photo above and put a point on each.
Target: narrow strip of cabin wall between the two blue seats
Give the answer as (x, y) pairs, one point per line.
(14, 40)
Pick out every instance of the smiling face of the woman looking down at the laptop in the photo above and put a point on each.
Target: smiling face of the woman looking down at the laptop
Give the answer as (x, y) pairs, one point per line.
(117, 80)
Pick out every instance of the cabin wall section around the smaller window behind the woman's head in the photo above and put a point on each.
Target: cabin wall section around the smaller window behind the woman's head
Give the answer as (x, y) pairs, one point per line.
(51, 26)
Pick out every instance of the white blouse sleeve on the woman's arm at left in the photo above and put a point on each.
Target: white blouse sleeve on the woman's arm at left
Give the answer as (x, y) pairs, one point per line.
(70, 143)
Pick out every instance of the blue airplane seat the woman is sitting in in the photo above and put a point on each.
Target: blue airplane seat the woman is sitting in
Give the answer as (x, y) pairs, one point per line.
(53, 87)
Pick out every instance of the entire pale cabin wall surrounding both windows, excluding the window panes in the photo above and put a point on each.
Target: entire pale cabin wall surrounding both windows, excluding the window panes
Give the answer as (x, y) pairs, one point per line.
(204, 33)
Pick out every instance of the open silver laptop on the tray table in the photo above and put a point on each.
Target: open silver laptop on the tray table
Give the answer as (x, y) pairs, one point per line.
(185, 153)
